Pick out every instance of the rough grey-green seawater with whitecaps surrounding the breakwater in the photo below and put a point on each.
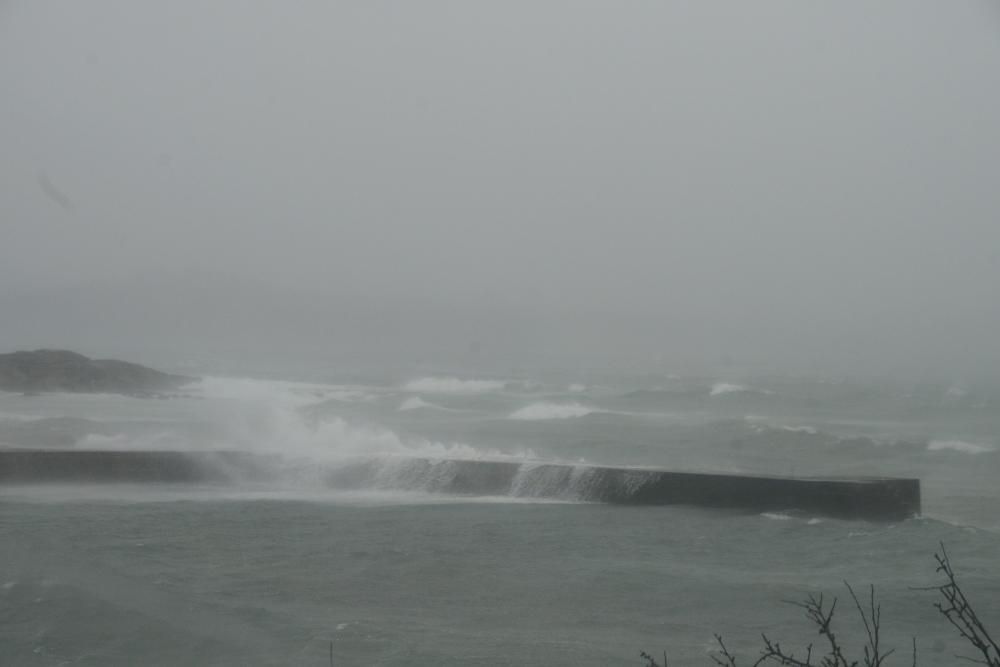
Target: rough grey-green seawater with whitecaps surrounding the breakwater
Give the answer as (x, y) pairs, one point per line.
(392, 575)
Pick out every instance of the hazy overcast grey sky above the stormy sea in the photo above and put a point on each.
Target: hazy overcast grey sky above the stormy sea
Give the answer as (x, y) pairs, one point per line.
(791, 185)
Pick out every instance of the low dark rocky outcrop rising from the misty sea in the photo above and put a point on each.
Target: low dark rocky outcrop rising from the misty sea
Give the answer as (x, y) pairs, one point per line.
(62, 370)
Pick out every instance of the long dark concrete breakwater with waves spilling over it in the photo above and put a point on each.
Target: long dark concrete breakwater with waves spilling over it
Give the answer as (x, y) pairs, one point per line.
(854, 498)
